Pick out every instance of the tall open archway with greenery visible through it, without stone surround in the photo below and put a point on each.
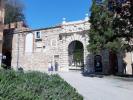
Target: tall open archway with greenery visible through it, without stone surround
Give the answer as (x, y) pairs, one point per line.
(76, 55)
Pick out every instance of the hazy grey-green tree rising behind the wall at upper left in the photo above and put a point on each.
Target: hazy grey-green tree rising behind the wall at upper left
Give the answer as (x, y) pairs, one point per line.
(13, 11)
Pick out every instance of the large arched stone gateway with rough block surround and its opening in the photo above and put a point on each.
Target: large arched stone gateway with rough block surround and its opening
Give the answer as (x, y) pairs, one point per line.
(74, 49)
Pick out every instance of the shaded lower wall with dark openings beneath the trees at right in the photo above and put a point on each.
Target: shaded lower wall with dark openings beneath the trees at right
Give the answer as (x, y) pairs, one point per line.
(115, 65)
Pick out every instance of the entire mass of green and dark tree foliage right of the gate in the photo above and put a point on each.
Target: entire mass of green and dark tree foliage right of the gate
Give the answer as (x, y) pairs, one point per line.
(111, 25)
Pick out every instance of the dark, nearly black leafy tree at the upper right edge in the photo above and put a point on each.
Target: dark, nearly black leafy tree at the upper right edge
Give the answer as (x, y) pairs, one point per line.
(123, 21)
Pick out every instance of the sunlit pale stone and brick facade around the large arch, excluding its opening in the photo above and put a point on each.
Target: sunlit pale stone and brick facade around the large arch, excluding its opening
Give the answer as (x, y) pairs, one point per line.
(33, 53)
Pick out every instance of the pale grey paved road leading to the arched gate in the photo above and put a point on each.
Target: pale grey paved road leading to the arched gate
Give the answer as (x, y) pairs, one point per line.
(105, 88)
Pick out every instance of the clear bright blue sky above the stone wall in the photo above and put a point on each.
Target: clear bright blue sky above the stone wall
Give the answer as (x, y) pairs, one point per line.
(45, 13)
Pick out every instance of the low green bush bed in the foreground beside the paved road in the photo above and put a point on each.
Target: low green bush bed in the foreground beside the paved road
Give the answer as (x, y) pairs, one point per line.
(34, 86)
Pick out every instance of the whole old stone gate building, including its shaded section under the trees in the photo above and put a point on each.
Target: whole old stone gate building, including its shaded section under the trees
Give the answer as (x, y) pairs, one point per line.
(36, 49)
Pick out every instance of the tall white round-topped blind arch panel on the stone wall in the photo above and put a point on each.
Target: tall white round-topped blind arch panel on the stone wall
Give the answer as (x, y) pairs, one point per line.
(29, 43)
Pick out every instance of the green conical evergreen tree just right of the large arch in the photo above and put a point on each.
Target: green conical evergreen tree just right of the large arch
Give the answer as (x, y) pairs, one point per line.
(101, 34)
